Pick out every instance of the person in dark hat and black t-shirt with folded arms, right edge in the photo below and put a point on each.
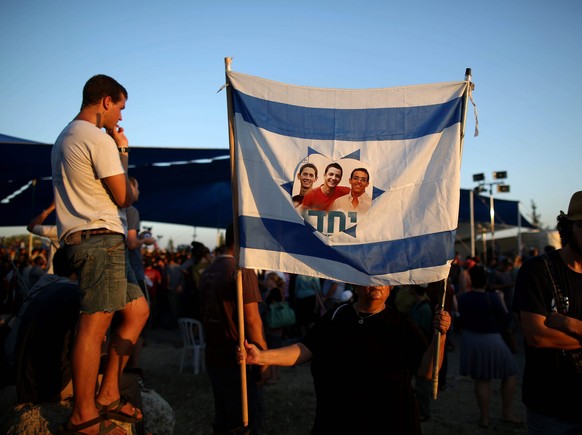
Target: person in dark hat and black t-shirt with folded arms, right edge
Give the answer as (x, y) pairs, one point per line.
(548, 301)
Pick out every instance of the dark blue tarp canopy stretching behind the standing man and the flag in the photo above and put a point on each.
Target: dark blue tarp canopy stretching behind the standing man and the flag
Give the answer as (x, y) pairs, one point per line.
(188, 186)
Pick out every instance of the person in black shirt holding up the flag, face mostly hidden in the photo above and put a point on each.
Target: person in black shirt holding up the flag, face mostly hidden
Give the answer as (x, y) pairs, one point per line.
(363, 354)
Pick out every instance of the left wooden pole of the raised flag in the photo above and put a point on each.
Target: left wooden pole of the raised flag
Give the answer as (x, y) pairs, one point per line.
(234, 188)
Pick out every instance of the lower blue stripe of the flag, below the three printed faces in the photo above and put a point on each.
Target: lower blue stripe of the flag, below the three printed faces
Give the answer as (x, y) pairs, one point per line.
(424, 251)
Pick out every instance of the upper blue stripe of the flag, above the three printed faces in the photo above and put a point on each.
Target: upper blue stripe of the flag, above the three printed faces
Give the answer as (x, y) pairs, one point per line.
(347, 124)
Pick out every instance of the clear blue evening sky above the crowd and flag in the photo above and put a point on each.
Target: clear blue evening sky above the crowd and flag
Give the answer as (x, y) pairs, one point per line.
(524, 55)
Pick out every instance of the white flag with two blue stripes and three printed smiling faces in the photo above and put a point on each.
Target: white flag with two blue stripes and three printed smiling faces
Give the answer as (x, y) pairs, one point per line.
(400, 146)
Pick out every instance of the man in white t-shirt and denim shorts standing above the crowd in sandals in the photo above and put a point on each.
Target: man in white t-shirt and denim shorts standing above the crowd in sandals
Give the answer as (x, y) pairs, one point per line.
(91, 189)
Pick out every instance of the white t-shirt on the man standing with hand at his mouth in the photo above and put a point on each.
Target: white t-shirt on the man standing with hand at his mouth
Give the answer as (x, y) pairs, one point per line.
(82, 156)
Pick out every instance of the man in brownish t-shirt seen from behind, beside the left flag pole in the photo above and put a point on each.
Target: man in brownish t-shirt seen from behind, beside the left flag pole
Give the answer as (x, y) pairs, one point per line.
(223, 317)
